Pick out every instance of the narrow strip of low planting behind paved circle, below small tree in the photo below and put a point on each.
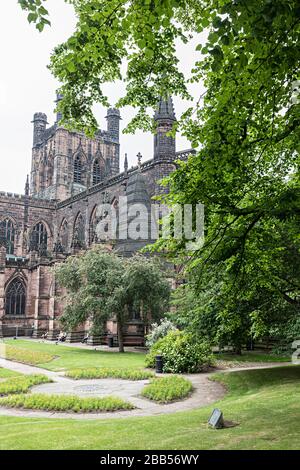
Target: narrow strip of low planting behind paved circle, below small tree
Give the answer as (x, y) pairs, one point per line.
(103, 373)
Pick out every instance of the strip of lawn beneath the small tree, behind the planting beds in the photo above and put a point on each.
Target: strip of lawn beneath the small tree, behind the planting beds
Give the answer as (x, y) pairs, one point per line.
(70, 357)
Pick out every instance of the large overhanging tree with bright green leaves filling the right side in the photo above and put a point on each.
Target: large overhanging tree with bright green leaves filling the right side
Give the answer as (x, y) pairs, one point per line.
(245, 129)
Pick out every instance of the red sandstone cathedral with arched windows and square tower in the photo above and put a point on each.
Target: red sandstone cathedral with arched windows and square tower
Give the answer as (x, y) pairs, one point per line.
(56, 217)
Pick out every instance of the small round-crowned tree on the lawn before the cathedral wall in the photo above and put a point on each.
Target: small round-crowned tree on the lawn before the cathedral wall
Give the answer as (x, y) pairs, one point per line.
(100, 285)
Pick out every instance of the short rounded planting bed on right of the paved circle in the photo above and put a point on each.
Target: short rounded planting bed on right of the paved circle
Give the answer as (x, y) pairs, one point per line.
(168, 389)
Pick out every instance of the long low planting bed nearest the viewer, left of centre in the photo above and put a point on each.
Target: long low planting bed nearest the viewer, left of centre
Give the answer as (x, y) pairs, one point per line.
(65, 403)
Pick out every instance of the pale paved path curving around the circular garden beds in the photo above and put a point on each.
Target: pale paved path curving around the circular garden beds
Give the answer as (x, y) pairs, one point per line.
(205, 393)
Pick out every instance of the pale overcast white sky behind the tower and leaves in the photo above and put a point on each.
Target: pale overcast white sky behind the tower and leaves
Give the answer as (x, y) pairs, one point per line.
(27, 86)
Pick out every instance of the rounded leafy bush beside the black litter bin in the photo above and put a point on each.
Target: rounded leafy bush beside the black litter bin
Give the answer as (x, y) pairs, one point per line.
(181, 353)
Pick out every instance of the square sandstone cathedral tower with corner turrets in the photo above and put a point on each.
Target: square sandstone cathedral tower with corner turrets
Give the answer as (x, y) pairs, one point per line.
(65, 163)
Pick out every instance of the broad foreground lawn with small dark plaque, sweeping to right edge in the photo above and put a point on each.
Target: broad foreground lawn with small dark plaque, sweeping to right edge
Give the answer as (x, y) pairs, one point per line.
(266, 403)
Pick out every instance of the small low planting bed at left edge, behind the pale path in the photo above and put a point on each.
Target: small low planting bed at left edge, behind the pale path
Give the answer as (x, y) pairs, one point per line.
(24, 355)
